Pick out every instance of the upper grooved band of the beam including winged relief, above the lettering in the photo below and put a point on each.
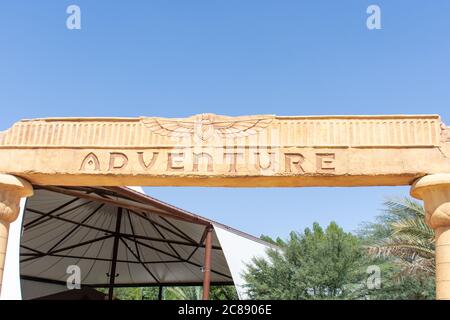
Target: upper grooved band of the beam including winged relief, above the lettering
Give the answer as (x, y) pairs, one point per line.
(295, 131)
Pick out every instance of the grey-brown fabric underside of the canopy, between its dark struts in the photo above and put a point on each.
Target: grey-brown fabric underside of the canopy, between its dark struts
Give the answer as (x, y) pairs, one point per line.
(151, 249)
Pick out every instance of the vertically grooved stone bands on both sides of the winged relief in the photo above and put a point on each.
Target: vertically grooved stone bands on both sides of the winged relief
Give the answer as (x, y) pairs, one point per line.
(368, 131)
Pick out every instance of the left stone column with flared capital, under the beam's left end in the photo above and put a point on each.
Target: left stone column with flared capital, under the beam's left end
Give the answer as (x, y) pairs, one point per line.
(11, 190)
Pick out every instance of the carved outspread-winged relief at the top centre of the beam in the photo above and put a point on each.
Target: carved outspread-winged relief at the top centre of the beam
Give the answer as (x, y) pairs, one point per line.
(206, 125)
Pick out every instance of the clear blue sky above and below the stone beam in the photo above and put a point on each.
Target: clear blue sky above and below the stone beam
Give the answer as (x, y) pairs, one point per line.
(178, 58)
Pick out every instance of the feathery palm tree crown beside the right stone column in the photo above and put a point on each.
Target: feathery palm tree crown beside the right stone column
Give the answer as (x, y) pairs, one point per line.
(402, 234)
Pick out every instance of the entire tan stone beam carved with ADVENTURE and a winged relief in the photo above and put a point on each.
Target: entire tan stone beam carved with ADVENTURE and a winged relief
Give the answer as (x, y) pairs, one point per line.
(212, 150)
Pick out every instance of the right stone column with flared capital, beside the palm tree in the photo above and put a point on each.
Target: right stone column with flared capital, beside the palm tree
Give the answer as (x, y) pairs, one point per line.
(434, 190)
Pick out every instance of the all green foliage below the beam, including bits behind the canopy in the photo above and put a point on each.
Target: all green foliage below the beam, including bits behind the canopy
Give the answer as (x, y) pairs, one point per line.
(332, 264)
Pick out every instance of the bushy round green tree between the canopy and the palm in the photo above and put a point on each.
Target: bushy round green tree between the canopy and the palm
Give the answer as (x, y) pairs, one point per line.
(315, 264)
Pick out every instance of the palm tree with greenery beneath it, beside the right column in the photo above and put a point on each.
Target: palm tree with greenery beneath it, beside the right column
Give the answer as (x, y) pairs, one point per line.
(402, 245)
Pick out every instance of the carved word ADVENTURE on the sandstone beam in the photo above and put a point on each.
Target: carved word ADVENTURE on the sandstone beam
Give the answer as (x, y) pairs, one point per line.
(176, 161)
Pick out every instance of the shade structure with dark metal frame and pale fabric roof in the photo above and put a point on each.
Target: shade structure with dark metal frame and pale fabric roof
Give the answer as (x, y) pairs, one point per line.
(118, 237)
